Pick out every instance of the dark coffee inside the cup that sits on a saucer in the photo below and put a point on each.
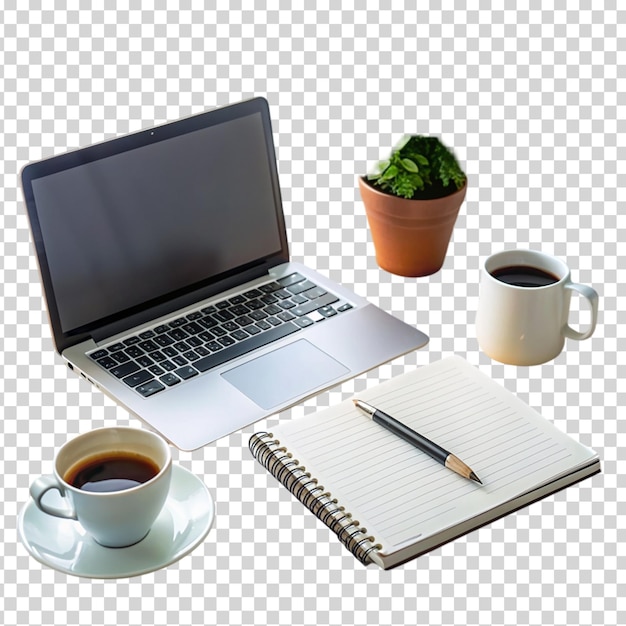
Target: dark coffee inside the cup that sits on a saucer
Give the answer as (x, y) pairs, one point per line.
(115, 471)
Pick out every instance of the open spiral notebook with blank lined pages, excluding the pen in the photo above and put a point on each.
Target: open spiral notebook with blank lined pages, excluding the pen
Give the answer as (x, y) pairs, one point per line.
(386, 501)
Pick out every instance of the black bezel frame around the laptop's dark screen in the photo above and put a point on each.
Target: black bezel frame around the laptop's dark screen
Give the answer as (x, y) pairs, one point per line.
(171, 302)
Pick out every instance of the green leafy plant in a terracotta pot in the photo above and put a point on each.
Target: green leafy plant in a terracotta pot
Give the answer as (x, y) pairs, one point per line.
(412, 202)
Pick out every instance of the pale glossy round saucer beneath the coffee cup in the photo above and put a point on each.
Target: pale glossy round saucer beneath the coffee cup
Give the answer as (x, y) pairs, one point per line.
(62, 544)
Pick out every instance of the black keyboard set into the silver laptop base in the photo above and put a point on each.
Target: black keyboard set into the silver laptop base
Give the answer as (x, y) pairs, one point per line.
(162, 357)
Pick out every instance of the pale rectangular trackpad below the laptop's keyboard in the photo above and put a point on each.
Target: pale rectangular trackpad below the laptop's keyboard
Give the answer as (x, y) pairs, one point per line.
(284, 374)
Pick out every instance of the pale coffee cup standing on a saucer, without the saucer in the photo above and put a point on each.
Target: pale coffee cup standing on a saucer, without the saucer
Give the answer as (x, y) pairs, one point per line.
(117, 518)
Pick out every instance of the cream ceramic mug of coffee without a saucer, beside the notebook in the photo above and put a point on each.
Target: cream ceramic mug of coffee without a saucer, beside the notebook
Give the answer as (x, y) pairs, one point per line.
(527, 325)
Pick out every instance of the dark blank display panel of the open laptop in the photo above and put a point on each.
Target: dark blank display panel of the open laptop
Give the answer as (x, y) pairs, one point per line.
(133, 226)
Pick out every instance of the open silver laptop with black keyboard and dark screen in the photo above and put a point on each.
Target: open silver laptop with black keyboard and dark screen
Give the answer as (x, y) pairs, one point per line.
(166, 272)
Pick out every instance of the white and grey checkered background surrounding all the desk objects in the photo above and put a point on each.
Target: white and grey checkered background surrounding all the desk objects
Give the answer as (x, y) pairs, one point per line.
(529, 97)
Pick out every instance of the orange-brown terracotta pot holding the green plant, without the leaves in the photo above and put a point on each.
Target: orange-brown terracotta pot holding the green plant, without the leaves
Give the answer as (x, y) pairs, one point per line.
(411, 237)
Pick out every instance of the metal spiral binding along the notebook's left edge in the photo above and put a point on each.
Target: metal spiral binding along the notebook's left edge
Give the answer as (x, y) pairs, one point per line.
(279, 462)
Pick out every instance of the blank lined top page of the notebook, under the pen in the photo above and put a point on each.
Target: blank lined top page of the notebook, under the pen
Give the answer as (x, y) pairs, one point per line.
(399, 493)
